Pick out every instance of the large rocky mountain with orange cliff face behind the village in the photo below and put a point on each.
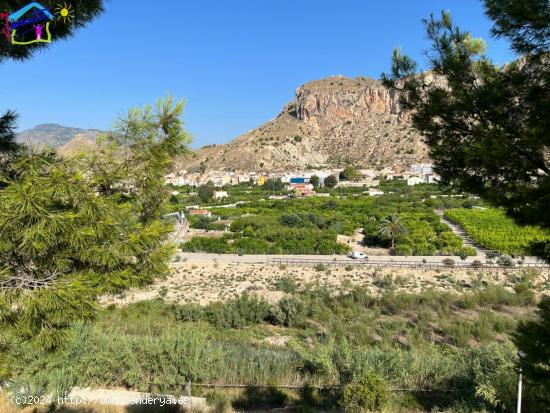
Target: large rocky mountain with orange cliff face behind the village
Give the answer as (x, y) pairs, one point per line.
(330, 122)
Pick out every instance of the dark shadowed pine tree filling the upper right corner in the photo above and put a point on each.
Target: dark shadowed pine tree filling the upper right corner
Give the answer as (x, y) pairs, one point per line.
(487, 125)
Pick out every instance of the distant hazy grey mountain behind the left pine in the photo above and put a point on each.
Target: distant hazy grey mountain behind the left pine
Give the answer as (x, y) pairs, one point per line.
(56, 136)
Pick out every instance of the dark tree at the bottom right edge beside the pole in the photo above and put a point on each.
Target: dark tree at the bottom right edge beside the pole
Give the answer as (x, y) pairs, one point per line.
(533, 339)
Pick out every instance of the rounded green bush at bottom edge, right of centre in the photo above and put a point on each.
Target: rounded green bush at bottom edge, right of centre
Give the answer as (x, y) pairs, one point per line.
(368, 392)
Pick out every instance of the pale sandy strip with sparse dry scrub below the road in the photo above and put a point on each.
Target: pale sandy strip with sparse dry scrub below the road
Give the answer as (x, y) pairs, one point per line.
(206, 283)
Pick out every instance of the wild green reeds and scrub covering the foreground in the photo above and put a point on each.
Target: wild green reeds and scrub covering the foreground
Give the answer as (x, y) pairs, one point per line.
(420, 352)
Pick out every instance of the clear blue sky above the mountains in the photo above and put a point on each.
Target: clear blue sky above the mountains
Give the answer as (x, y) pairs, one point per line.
(235, 62)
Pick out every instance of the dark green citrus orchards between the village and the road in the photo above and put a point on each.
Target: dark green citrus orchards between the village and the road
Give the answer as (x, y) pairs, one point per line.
(311, 225)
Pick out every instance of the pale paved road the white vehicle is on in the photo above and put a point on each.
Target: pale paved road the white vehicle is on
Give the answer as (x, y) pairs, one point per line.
(262, 259)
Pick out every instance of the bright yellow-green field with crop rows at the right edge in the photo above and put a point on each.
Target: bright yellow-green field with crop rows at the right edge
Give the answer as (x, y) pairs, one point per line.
(492, 229)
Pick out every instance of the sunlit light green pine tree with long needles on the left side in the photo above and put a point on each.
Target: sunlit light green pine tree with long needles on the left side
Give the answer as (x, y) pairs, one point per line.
(71, 230)
